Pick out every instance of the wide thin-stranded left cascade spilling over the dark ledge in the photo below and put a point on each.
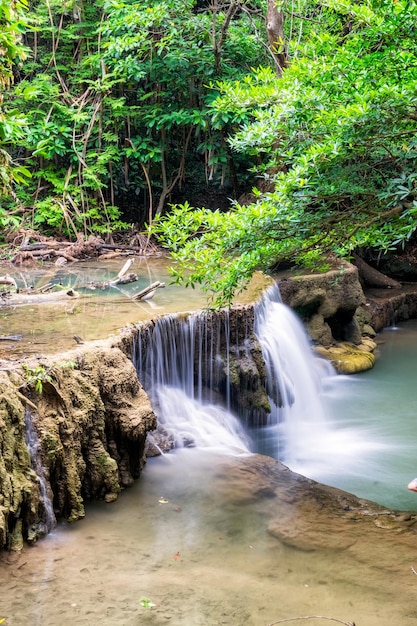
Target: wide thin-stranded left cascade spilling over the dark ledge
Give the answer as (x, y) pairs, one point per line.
(179, 364)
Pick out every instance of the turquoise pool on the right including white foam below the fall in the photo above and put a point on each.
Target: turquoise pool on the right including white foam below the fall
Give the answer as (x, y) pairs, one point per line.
(367, 444)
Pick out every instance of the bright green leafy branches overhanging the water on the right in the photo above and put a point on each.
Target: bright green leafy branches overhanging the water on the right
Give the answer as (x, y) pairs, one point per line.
(336, 141)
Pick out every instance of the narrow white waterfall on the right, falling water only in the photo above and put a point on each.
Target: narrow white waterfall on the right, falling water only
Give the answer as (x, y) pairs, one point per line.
(295, 379)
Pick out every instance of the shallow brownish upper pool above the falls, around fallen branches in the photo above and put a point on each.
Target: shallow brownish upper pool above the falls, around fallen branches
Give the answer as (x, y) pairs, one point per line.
(50, 328)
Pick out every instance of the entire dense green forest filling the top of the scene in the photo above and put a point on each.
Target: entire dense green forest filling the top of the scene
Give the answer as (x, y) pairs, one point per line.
(242, 135)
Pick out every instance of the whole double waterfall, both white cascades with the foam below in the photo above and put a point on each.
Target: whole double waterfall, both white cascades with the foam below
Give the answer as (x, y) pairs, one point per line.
(178, 362)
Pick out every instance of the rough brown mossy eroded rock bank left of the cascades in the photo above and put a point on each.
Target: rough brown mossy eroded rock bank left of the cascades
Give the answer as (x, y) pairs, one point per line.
(91, 416)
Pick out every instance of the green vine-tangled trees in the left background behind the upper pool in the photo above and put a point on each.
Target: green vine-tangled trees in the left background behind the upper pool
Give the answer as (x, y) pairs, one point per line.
(116, 94)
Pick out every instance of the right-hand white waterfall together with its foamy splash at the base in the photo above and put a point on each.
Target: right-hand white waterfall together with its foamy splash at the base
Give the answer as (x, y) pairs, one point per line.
(302, 433)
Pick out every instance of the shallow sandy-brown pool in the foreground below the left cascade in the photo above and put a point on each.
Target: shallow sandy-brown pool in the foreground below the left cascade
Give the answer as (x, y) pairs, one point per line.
(183, 547)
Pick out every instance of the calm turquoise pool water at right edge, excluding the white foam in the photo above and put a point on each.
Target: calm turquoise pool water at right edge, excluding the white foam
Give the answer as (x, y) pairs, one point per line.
(380, 406)
